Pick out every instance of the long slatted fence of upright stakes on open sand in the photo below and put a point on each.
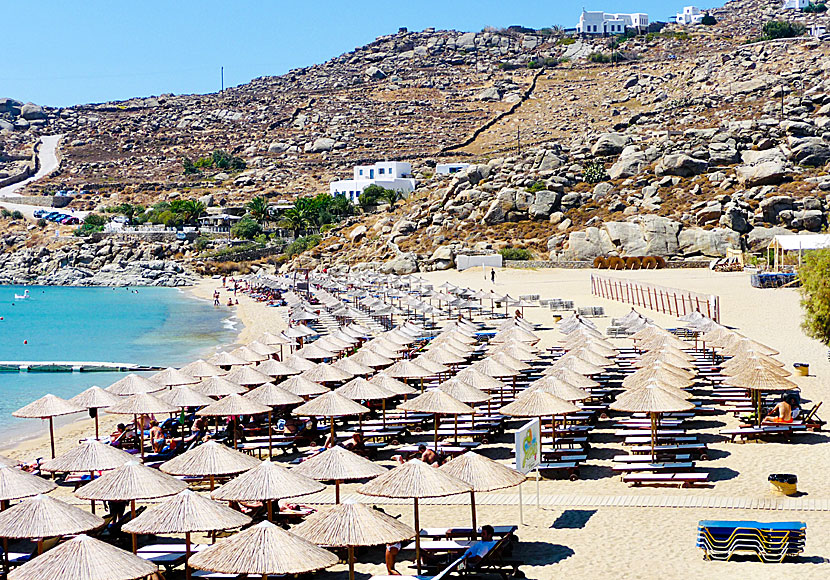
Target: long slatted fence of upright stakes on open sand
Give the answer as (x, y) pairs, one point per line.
(671, 301)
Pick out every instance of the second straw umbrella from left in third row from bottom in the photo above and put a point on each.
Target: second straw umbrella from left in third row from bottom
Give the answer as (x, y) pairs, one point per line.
(130, 482)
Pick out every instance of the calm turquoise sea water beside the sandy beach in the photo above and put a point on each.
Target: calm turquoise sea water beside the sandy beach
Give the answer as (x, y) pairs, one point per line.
(152, 326)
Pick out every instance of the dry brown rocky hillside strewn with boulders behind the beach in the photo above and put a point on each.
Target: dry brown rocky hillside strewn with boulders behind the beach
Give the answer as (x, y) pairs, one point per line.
(699, 140)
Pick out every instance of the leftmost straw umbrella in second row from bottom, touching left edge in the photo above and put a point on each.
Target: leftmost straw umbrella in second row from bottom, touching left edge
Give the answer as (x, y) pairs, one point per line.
(43, 516)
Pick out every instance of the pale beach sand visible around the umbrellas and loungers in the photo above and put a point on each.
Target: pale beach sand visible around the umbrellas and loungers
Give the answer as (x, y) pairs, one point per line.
(564, 538)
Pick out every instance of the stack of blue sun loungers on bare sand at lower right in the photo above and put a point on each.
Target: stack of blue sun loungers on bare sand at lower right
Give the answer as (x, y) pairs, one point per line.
(770, 542)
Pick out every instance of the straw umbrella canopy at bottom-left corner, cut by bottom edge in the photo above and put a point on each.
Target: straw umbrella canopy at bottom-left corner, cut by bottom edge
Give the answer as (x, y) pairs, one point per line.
(85, 558)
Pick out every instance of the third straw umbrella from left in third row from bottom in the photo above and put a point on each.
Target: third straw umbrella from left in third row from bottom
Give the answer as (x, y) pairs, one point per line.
(267, 482)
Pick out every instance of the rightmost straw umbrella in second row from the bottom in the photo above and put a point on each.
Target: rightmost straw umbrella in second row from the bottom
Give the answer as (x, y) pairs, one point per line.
(352, 524)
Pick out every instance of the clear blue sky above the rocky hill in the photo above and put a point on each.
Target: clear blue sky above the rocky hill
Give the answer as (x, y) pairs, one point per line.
(61, 53)
